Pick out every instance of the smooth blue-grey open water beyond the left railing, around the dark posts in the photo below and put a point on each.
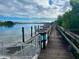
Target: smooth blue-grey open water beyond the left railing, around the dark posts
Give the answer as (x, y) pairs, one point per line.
(14, 34)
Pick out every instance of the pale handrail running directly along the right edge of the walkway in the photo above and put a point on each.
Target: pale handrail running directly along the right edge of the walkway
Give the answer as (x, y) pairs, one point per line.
(64, 34)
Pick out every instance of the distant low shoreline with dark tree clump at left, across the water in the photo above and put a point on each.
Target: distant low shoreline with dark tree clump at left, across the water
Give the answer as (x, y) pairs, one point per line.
(11, 23)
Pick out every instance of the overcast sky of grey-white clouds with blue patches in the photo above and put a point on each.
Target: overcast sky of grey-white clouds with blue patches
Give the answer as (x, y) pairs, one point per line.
(33, 8)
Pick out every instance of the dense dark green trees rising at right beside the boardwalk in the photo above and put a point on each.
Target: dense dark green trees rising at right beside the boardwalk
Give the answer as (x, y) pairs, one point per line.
(70, 20)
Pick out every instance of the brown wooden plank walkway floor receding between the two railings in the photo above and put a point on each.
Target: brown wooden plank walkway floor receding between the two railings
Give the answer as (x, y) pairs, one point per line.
(56, 48)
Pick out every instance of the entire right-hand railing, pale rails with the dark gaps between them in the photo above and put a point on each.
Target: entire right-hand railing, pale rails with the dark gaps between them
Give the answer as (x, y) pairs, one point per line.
(72, 42)
